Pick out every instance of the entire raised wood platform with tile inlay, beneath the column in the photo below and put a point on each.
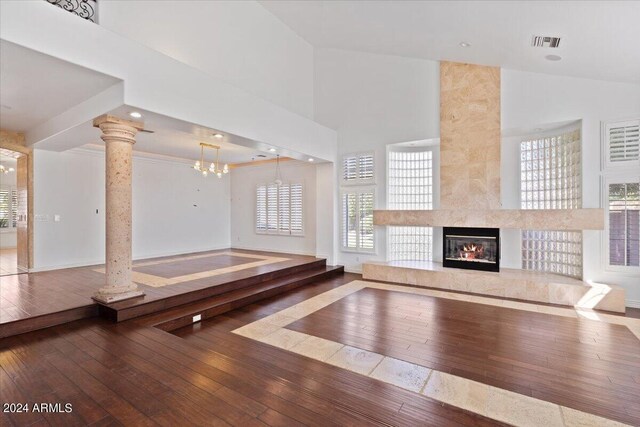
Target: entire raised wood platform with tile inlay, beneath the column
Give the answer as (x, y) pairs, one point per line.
(40, 300)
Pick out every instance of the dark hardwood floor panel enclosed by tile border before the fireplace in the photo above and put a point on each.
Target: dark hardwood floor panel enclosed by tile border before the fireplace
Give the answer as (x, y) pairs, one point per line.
(586, 365)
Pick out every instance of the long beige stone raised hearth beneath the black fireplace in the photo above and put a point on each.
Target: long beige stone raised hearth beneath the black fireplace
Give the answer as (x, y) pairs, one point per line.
(508, 283)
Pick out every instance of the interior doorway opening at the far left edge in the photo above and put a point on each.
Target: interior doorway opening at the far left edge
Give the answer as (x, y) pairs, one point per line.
(14, 253)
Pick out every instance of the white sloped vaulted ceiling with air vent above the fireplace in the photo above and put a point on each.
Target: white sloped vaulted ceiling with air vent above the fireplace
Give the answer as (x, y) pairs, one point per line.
(600, 39)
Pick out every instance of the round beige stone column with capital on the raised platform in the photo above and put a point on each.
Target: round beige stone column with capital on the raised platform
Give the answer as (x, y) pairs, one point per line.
(119, 137)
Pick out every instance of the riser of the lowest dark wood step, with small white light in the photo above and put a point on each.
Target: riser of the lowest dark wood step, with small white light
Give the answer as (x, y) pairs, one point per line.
(187, 320)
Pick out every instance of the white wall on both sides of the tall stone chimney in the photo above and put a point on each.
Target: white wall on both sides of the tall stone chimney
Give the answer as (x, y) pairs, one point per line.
(375, 100)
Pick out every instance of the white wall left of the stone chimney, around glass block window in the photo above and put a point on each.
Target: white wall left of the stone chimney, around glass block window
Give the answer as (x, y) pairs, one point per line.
(375, 100)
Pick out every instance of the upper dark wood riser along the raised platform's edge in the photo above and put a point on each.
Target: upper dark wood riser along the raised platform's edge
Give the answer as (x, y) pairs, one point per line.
(168, 303)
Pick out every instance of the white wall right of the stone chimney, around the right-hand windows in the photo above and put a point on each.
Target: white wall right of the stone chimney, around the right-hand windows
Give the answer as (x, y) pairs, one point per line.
(530, 99)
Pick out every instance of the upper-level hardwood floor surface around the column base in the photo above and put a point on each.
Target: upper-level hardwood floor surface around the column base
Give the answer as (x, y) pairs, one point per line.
(35, 300)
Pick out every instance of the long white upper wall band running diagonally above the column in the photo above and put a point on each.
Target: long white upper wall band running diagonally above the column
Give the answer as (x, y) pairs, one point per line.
(156, 82)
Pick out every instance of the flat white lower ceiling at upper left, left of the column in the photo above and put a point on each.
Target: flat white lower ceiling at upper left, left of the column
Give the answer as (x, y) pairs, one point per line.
(35, 87)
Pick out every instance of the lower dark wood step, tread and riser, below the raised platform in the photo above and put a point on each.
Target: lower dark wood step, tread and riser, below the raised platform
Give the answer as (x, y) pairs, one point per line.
(181, 316)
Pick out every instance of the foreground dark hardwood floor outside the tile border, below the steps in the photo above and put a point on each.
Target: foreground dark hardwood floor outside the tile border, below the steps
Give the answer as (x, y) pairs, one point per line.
(129, 374)
